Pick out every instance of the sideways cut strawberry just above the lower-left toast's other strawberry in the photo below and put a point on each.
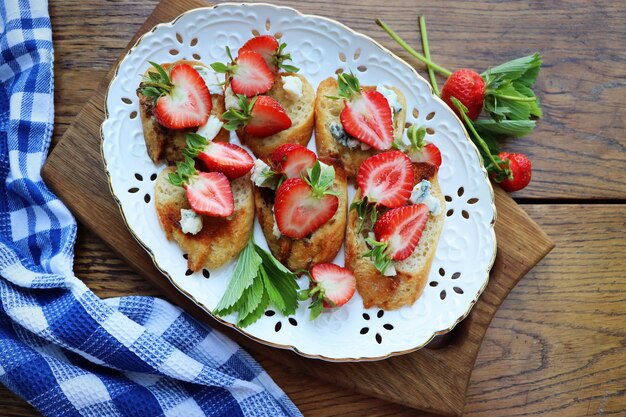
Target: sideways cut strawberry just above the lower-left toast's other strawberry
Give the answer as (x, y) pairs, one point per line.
(227, 158)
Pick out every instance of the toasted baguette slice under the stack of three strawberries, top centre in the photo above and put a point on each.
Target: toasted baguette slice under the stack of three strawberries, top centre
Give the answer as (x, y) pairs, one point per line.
(299, 110)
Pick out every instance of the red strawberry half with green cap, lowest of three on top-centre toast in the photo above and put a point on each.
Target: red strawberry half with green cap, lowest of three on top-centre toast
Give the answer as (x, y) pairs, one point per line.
(261, 117)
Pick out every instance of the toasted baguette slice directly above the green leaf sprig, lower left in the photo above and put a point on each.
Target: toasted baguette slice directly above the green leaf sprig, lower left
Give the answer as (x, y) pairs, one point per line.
(221, 238)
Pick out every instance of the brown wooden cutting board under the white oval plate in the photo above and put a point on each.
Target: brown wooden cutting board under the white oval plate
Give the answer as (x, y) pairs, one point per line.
(433, 379)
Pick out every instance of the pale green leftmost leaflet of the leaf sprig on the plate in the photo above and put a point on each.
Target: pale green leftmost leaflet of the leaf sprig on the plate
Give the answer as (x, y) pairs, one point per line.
(245, 271)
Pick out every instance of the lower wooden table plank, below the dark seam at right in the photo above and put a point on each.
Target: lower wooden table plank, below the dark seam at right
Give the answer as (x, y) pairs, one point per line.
(556, 347)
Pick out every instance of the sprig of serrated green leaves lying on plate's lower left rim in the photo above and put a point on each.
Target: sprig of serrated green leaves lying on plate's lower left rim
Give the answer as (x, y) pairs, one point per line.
(258, 279)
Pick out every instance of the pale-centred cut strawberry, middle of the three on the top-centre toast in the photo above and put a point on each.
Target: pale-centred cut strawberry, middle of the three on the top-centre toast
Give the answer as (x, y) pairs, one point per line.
(251, 76)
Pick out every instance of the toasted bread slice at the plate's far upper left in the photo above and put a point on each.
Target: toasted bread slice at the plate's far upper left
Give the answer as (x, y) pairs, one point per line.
(163, 143)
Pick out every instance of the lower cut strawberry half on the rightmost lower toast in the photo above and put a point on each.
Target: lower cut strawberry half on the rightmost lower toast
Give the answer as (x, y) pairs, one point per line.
(402, 229)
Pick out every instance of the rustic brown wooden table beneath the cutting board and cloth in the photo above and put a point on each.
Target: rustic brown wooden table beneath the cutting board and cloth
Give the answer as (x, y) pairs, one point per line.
(557, 346)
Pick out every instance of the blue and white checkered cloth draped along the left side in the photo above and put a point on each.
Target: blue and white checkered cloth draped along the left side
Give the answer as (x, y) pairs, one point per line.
(62, 349)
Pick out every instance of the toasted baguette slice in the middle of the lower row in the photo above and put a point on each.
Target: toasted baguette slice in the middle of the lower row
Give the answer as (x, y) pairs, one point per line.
(323, 244)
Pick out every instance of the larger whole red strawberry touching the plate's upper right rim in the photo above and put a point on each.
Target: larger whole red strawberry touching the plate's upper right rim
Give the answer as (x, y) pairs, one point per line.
(469, 88)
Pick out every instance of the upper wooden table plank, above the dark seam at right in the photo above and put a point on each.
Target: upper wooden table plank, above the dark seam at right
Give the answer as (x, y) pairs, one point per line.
(579, 141)
